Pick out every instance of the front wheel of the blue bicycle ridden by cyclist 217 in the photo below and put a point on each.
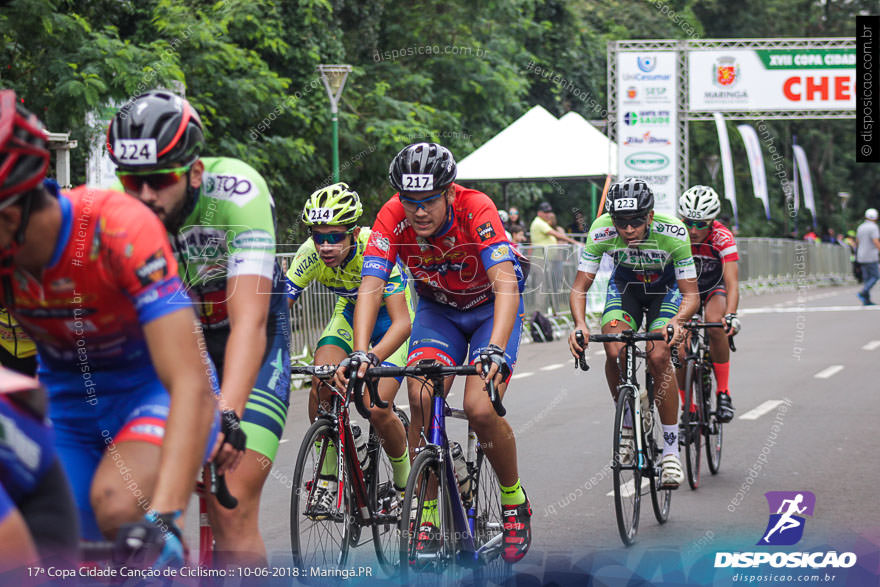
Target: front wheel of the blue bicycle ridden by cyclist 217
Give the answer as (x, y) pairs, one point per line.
(436, 564)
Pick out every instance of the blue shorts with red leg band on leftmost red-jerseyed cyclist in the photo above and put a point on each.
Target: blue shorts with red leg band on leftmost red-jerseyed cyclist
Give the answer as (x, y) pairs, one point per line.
(85, 433)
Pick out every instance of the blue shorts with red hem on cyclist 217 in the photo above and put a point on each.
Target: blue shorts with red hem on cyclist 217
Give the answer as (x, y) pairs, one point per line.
(448, 335)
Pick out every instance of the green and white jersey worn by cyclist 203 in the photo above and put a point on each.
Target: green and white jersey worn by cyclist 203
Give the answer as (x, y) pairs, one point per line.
(663, 257)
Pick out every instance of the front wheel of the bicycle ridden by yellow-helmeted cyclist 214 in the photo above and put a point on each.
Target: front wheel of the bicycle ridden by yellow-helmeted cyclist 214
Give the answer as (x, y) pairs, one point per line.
(317, 542)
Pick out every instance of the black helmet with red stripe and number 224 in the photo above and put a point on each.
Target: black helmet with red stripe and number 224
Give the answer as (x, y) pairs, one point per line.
(160, 116)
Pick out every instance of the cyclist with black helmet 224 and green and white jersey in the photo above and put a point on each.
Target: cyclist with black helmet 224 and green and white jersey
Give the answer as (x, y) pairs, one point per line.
(221, 222)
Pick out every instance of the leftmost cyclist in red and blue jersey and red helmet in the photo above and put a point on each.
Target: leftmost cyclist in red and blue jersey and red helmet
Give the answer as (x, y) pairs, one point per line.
(90, 277)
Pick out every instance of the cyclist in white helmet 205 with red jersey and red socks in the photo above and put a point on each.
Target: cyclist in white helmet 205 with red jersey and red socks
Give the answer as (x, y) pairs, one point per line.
(714, 250)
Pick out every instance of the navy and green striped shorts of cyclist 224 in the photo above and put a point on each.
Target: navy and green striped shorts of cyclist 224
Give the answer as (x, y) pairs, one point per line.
(266, 410)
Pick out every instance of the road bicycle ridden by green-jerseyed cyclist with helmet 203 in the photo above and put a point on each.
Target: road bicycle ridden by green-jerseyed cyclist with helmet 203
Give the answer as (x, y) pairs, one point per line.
(642, 466)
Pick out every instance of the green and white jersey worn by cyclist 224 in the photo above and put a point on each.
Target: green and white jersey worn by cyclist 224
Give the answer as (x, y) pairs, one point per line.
(230, 232)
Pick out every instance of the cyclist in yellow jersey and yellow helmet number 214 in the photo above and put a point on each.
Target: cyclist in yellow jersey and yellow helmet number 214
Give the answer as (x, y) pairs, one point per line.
(334, 256)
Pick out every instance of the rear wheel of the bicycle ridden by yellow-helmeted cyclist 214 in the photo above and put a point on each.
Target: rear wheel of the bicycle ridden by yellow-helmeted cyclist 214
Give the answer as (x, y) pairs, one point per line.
(385, 503)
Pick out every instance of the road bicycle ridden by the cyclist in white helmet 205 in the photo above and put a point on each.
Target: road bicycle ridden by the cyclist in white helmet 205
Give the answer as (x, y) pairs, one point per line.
(699, 419)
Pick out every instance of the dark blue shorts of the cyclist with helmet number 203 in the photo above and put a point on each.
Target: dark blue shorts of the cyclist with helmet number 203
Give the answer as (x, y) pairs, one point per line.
(628, 301)
